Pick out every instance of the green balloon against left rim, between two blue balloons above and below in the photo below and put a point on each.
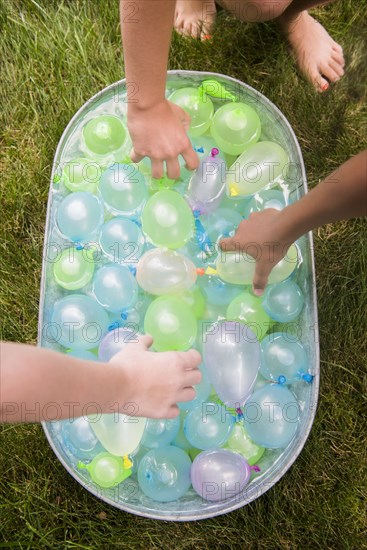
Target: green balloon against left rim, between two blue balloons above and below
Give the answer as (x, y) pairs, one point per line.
(74, 268)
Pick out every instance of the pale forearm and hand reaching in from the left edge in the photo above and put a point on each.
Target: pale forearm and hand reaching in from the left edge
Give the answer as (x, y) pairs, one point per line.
(39, 384)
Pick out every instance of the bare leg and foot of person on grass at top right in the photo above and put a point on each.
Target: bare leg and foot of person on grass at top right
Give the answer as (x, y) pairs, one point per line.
(319, 58)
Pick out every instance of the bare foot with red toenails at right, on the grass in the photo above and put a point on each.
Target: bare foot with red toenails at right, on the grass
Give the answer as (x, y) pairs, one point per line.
(318, 56)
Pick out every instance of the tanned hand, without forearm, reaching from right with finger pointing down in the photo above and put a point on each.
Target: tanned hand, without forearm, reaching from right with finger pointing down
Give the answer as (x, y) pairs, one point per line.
(262, 237)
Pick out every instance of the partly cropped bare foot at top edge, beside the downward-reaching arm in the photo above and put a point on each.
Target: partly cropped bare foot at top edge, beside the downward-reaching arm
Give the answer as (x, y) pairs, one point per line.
(195, 18)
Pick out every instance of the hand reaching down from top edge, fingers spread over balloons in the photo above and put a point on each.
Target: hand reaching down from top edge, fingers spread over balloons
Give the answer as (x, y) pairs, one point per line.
(159, 132)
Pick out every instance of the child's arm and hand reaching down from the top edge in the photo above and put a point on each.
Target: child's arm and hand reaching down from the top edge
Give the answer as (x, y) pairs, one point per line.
(157, 126)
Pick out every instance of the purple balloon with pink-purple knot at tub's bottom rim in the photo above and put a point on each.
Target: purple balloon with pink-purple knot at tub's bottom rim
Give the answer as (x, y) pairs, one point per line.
(220, 474)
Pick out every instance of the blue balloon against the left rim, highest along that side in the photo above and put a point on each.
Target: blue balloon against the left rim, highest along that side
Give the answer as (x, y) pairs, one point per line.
(79, 216)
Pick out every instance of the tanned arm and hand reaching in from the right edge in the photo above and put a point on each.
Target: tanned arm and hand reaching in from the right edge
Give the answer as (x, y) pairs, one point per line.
(342, 195)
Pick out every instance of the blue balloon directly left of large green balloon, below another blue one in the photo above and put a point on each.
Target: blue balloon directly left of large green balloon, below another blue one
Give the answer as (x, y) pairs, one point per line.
(122, 240)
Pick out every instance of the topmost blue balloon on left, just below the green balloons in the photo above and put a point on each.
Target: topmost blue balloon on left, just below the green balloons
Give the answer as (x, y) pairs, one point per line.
(123, 188)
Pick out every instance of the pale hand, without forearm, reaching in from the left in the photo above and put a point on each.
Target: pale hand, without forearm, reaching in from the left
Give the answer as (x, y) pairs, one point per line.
(156, 382)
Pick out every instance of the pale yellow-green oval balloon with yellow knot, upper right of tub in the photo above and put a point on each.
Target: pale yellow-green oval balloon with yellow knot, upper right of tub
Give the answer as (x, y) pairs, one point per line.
(260, 165)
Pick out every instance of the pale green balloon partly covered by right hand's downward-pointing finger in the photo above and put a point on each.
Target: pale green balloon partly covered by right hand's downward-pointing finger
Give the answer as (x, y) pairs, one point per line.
(238, 268)
